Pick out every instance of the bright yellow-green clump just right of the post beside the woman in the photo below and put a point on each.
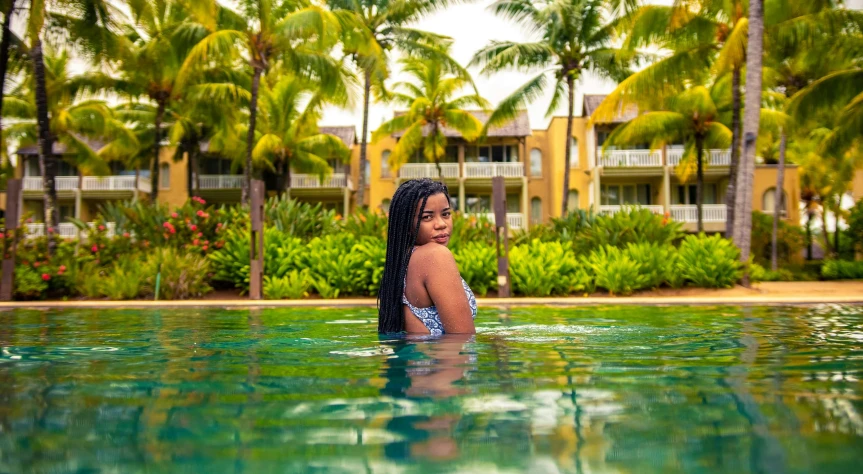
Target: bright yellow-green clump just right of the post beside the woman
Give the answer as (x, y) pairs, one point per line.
(546, 268)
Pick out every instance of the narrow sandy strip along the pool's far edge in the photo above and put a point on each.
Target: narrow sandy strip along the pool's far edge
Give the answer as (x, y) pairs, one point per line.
(767, 293)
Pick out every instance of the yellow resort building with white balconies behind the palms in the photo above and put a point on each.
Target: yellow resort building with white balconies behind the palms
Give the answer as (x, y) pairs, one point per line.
(531, 161)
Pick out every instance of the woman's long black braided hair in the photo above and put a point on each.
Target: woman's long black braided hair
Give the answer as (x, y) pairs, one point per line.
(403, 227)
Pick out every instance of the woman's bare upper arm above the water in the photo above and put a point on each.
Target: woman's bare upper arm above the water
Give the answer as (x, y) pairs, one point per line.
(443, 283)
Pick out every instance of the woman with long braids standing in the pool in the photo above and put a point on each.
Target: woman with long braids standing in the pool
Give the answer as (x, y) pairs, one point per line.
(421, 289)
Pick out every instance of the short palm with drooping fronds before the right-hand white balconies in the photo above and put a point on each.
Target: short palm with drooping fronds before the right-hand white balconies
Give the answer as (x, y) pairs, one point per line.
(691, 118)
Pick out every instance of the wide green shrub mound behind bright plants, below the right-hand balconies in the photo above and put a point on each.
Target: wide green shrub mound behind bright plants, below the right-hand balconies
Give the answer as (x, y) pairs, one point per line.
(624, 227)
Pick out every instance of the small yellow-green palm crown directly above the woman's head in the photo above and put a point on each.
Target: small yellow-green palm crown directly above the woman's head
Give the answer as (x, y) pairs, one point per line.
(432, 108)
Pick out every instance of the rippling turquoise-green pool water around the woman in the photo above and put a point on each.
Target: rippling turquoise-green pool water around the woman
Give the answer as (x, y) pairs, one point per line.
(588, 390)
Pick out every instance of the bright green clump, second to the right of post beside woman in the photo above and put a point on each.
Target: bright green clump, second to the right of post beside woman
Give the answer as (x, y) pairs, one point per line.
(616, 271)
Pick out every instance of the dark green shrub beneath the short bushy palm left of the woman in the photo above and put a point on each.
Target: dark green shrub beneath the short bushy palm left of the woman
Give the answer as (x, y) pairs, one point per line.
(300, 219)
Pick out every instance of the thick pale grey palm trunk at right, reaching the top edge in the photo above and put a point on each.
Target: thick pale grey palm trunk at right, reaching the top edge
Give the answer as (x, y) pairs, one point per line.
(751, 123)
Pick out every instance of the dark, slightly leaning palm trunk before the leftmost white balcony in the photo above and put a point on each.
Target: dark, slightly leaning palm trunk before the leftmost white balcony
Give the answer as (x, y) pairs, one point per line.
(47, 159)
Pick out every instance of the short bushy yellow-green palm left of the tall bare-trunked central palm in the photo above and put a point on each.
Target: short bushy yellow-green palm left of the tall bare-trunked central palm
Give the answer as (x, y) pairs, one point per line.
(288, 138)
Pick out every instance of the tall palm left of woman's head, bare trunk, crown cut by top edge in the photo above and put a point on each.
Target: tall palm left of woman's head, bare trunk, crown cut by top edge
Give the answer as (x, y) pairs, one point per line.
(373, 29)
